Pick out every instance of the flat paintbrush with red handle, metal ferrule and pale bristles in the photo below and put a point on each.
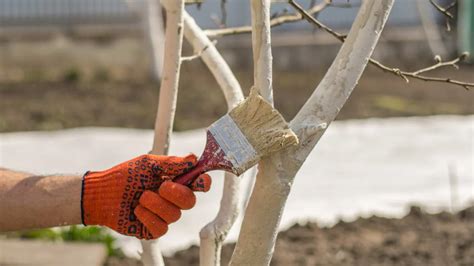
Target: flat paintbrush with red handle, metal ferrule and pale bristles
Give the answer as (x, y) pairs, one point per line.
(239, 139)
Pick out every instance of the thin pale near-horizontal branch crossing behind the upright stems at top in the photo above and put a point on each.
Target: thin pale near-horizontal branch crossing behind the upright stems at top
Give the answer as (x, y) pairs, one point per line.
(276, 21)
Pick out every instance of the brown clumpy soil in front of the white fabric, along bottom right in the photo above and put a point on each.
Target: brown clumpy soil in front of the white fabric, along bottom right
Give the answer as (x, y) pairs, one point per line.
(416, 239)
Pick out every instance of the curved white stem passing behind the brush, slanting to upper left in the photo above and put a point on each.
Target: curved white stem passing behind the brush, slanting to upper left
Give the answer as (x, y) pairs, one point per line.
(214, 233)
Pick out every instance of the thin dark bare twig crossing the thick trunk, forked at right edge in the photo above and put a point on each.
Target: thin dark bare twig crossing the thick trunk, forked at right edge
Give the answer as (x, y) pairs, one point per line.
(403, 74)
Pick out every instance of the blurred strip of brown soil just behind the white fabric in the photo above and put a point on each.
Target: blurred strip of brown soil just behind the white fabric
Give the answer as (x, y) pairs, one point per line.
(51, 105)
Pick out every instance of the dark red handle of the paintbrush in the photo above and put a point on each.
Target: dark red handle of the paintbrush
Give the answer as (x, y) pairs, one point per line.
(213, 158)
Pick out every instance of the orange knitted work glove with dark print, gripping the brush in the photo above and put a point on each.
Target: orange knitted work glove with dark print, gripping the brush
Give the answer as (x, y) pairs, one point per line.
(137, 197)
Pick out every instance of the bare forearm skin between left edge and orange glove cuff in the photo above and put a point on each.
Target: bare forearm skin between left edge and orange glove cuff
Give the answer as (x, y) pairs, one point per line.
(29, 201)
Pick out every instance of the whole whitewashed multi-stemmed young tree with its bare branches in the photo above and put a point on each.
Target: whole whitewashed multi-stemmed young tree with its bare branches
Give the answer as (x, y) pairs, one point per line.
(277, 172)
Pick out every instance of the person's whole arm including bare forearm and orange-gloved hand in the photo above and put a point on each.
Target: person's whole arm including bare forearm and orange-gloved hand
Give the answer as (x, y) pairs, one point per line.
(135, 198)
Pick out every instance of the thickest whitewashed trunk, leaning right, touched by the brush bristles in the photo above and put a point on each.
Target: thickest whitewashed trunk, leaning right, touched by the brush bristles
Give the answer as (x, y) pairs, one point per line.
(276, 173)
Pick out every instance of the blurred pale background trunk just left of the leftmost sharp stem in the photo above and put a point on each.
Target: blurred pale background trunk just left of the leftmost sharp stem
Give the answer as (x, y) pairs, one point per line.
(154, 33)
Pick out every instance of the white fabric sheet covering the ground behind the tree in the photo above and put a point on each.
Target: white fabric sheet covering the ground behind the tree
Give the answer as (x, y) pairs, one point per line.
(359, 168)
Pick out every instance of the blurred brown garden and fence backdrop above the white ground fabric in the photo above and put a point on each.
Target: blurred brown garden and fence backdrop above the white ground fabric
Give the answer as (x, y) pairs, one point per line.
(89, 59)
